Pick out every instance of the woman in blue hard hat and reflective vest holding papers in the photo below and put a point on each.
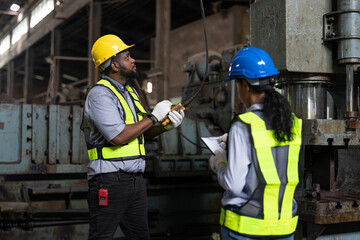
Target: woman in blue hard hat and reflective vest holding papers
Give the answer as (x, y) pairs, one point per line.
(264, 148)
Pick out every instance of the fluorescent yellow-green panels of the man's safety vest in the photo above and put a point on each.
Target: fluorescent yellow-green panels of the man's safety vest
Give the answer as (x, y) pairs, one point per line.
(132, 149)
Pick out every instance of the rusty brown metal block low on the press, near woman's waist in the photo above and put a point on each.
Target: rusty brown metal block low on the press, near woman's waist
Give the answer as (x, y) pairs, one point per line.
(331, 207)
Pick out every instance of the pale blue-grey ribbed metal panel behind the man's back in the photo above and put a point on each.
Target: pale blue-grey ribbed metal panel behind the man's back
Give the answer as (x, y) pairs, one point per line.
(42, 139)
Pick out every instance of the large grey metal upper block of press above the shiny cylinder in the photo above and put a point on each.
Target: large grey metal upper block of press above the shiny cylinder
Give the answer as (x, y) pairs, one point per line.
(291, 32)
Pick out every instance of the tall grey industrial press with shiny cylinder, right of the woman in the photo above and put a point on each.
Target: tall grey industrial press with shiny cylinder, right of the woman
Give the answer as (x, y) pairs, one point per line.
(316, 47)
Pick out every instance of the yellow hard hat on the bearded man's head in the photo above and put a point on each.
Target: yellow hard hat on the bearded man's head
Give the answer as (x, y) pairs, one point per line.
(106, 47)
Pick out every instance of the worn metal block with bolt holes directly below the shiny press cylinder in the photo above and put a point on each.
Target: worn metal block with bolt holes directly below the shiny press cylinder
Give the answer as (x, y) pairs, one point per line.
(331, 132)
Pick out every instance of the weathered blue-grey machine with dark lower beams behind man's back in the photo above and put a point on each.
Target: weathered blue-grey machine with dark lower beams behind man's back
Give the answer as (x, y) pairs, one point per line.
(43, 172)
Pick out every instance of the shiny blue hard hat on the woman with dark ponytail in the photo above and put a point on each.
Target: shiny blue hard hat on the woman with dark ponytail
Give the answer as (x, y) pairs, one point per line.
(251, 63)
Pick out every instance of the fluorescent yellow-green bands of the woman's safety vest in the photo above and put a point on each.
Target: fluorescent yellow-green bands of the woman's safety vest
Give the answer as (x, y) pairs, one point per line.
(271, 224)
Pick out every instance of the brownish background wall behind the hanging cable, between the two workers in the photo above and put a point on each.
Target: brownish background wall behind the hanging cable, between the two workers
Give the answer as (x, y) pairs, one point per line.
(224, 30)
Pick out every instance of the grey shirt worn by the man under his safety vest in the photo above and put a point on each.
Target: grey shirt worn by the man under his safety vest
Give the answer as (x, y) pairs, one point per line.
(104, 113)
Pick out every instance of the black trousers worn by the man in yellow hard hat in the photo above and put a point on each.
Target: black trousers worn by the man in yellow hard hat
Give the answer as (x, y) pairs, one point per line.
(127, 206)
